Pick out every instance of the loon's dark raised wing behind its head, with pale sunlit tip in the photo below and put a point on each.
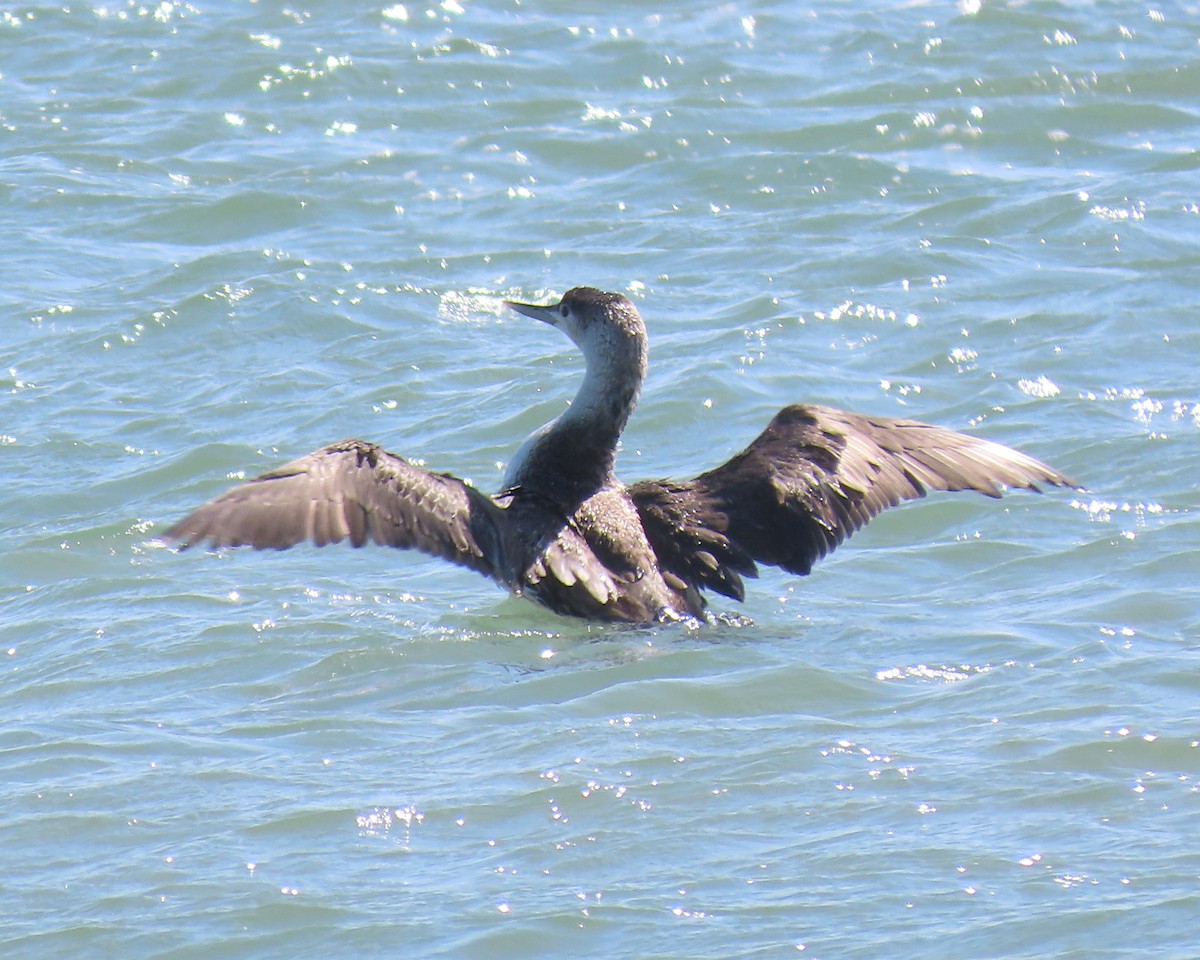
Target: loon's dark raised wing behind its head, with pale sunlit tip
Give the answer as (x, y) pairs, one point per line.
(809, 481)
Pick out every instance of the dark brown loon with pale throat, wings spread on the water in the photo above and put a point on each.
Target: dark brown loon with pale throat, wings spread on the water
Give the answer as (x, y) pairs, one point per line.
(563, 531)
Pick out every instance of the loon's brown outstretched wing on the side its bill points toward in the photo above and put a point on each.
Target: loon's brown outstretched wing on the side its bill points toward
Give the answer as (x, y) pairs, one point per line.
(353, 491)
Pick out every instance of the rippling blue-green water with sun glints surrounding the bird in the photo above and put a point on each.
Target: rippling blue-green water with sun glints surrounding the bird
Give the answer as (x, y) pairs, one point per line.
(237, 232)
